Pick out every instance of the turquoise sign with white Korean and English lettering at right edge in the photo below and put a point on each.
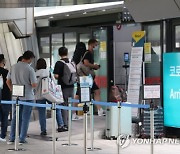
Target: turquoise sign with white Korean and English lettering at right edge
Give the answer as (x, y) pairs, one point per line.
(171, 89)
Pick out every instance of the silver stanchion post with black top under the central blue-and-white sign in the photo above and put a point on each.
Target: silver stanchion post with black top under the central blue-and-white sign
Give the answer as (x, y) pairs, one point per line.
(85, 109)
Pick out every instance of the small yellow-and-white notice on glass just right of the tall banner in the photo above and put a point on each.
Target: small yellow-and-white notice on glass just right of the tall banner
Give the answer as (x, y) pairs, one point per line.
(147, 52)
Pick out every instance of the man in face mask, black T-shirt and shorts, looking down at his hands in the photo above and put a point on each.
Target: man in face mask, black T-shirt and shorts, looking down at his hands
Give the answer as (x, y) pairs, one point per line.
(88, 60)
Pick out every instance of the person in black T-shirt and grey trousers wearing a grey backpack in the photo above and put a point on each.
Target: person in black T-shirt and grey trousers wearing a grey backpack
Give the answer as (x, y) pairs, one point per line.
(65, 73)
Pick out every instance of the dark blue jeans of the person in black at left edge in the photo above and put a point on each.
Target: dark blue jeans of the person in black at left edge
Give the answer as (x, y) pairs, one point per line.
(4, 112)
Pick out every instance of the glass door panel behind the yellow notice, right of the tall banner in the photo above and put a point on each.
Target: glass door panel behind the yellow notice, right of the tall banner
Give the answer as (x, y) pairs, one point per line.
(153, 67)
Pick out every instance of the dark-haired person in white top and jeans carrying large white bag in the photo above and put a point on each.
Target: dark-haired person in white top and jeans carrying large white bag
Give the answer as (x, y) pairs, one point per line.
(41, 71)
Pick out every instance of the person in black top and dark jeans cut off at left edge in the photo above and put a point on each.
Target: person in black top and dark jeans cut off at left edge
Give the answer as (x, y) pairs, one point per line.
(4, 95)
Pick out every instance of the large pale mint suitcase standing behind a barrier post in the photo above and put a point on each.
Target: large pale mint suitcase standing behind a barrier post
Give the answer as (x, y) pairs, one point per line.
(112, 122)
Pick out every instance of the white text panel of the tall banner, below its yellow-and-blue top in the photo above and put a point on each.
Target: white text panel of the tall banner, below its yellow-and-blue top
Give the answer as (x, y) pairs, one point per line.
(135, 77)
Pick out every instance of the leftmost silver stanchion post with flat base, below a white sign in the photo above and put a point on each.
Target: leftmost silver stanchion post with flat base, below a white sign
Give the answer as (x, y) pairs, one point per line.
(17, 129)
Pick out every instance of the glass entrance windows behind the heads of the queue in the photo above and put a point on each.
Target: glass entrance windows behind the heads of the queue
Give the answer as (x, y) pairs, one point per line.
(68, 39)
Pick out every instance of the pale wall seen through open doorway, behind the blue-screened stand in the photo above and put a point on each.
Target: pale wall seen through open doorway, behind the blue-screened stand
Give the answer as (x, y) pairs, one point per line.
(122, 44)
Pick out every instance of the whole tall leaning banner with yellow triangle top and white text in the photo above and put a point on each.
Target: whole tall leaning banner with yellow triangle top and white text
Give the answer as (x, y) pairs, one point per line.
(135, 72)
